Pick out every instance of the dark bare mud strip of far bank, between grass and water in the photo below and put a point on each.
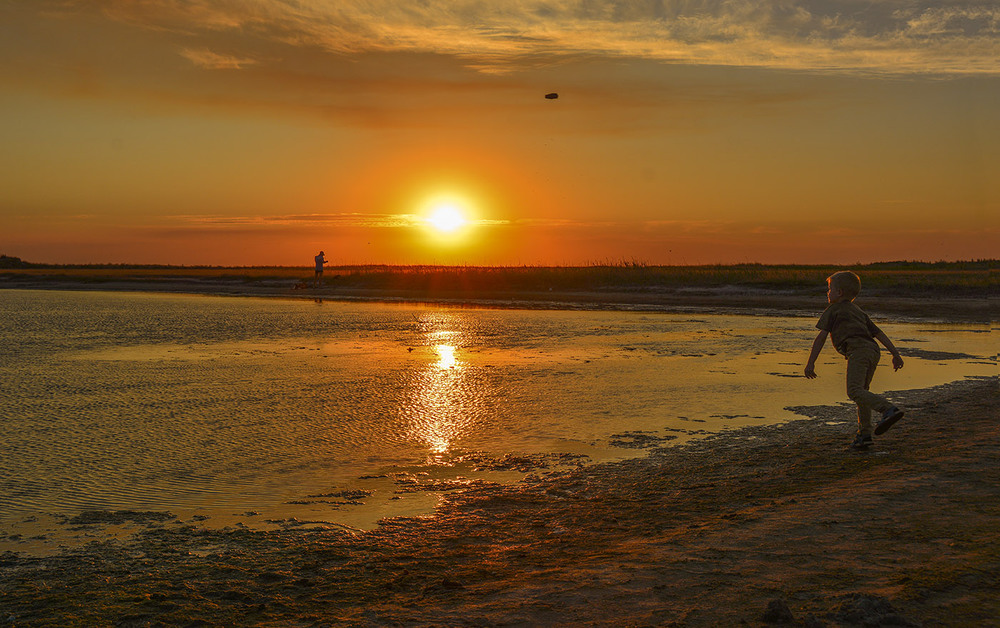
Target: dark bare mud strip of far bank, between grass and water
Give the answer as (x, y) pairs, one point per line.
(957, 307)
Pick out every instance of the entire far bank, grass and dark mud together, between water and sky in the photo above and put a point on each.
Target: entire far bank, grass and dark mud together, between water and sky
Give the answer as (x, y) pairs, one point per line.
(959, 291)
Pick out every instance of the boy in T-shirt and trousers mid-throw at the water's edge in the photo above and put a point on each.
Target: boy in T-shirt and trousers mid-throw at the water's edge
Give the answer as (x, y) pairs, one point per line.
(854, 336)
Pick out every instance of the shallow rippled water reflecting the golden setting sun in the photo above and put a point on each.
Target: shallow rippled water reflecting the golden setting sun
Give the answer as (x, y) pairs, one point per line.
(219, 405)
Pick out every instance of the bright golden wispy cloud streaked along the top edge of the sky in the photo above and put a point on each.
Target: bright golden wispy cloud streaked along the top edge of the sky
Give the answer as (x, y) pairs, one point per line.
(918, 37)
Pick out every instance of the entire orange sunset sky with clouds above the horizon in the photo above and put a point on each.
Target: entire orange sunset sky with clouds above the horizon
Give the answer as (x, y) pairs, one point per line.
(258, 132)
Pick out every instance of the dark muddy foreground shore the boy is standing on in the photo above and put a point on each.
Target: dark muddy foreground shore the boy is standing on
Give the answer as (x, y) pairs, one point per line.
(744, 528)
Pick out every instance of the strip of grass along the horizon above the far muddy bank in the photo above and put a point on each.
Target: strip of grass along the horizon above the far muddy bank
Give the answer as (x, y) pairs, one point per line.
(964, 277)
